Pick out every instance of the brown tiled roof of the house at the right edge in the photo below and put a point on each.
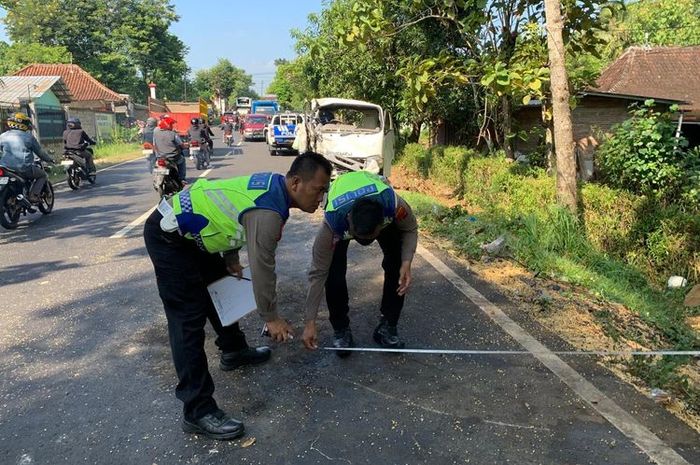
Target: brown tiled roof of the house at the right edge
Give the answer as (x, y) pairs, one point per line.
(662, 72)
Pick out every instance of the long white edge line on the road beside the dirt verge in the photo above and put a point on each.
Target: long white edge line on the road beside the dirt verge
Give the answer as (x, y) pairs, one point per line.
(647, 441)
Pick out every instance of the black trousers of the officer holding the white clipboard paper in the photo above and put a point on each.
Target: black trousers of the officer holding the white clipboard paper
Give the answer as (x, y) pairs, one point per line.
(183, 272)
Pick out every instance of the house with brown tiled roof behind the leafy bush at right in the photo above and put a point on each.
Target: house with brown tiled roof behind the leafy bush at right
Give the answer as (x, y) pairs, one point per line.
(668, 75)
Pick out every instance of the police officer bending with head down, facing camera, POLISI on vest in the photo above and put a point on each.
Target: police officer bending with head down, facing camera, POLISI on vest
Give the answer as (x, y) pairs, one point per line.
(364, 207)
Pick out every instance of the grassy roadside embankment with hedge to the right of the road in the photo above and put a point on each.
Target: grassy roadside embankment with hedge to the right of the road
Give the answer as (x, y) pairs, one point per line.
(621, 248)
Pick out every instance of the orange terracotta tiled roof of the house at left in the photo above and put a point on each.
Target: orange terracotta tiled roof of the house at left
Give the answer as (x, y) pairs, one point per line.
(81, 84)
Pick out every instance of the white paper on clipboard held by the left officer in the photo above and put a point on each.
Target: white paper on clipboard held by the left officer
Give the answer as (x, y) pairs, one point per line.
(233, 298)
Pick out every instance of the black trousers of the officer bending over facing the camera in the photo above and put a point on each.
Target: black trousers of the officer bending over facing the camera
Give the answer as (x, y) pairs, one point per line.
(337, 287)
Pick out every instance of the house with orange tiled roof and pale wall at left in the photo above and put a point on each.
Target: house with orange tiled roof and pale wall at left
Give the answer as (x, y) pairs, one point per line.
(92, 102)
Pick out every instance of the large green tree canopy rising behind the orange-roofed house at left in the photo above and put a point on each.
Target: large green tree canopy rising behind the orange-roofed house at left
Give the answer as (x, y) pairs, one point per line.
(123, 43)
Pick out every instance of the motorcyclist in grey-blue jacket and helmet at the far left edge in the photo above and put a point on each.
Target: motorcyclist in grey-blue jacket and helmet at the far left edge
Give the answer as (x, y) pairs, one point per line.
(18, 146)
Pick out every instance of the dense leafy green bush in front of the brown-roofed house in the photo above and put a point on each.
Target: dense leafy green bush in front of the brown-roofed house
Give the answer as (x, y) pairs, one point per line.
(643, 155)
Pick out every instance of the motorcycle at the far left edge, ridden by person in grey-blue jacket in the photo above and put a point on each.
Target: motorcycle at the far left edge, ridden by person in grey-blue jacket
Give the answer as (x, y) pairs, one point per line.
(14, 197)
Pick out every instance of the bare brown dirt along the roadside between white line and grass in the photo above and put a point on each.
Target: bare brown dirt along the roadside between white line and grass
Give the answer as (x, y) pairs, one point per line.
(574, 313)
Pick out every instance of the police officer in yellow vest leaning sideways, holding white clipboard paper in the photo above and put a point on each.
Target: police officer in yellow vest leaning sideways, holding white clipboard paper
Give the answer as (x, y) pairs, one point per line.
(196, 243)
